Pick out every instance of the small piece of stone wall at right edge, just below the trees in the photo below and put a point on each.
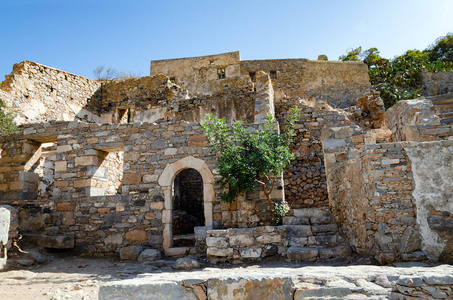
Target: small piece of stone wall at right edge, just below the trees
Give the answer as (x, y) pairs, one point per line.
(437, 83)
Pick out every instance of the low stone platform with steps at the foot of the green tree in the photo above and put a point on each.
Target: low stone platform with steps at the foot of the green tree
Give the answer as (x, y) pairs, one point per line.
(296, 242)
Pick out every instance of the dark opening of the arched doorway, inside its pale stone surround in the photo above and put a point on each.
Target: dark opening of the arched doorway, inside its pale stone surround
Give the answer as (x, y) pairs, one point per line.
(188, 211)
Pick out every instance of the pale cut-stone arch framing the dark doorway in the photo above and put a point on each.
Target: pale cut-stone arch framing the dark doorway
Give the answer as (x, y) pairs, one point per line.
(166, 180)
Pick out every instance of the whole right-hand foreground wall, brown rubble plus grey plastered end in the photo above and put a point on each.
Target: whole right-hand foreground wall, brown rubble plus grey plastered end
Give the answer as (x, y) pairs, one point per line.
(389, 202)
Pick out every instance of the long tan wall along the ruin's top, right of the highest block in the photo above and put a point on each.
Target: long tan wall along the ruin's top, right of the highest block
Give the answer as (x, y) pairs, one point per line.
(340, 84)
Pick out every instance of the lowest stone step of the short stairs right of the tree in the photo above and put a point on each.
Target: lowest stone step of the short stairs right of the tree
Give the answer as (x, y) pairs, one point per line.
(311, 254)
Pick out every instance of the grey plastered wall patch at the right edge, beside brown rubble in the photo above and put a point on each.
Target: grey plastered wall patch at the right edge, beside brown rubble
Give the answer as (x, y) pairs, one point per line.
(432, 193)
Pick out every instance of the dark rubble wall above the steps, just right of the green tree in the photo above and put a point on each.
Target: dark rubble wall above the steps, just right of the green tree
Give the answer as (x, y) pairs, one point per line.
(305, 180)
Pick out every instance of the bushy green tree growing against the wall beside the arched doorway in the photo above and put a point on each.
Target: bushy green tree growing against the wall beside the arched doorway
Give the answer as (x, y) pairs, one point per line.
(246, 160)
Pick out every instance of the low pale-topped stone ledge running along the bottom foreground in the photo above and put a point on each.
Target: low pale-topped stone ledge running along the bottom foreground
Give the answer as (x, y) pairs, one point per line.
(405, 281)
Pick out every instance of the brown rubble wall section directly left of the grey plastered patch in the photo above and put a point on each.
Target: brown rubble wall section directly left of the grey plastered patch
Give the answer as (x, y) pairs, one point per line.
(370, 193)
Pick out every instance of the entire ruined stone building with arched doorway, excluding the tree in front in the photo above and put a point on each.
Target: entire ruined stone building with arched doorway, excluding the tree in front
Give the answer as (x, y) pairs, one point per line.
(114, 167)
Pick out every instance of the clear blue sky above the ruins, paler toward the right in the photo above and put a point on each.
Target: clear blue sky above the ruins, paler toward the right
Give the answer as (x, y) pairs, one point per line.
(78, 35)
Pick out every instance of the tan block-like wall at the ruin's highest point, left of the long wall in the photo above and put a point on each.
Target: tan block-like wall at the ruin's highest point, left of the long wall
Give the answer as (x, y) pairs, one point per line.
(198, 74)
